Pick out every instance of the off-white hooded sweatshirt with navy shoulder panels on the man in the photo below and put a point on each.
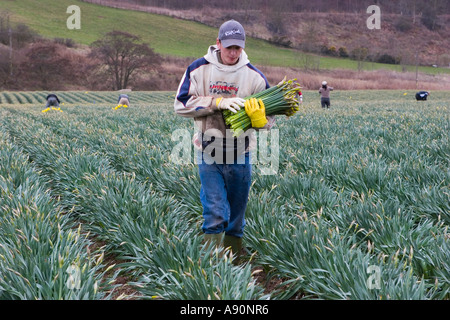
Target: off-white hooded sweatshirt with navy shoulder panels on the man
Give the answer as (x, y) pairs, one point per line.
(207, 79)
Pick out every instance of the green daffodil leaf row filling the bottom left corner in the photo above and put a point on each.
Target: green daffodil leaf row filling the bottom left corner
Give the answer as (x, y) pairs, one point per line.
(43, 254)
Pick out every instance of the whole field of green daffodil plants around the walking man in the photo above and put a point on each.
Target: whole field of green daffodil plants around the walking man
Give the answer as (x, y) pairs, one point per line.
(359, 207)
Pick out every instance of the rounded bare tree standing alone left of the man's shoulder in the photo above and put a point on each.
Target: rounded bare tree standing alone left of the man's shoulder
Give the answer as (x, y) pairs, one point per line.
(123, 56)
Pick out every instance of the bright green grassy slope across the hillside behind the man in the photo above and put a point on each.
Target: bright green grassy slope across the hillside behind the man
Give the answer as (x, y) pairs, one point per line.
(167, 36)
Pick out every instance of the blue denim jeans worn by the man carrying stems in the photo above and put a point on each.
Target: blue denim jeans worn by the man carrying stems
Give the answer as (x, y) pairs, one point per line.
(224, 196)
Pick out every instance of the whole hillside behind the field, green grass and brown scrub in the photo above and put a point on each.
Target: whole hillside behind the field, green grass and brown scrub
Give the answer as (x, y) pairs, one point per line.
(316, 39)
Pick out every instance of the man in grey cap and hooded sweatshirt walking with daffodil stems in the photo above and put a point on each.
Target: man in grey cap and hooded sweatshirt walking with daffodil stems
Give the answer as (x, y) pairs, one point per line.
(216, 82)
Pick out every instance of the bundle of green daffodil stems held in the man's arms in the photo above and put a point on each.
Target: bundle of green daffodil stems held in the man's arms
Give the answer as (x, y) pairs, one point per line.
(284, 98)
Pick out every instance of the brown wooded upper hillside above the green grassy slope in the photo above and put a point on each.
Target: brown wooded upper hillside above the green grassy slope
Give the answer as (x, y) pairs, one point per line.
(413, 31)
